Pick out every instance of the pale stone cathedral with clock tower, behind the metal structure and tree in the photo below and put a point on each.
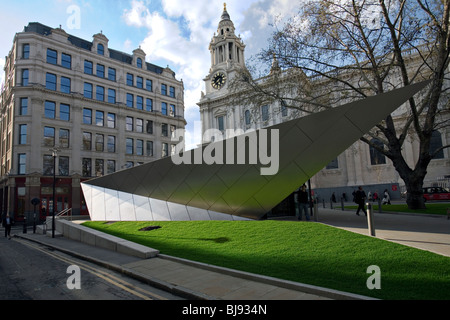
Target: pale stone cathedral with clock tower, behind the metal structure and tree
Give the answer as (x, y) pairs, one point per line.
(359, 165)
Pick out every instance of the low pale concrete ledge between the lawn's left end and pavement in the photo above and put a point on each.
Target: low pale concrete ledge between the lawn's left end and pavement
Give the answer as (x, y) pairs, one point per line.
(99, 239)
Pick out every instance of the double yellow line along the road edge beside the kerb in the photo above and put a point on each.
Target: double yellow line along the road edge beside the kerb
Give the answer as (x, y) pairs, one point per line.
(120, 283)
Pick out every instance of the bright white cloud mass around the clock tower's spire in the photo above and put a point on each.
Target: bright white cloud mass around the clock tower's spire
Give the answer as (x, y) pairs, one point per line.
(184, 46)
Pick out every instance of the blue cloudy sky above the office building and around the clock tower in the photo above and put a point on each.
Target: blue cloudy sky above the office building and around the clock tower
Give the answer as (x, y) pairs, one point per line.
(174, 33)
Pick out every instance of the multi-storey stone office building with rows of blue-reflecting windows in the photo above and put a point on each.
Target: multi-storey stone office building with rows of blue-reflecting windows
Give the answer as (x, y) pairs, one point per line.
(104, 110)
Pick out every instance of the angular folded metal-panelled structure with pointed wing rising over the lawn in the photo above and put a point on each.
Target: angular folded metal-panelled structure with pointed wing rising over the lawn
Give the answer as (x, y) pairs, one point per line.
(304, 146)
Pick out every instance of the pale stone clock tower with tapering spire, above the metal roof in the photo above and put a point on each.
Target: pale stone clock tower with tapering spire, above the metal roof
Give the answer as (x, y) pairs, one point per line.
(227, 56)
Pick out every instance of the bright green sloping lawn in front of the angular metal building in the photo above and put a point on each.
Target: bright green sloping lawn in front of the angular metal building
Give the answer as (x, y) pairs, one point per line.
(305, 252)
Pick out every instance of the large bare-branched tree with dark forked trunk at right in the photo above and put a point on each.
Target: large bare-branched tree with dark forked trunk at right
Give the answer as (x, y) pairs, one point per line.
(335, 51)
